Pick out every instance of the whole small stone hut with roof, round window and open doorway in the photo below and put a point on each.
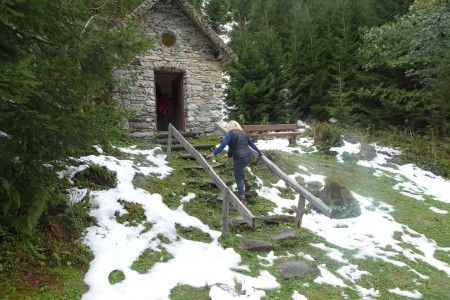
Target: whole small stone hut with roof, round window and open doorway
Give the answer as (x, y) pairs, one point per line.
(186, 63)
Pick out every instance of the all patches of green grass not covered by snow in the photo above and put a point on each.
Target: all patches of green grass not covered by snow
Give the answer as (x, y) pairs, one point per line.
(66, 282)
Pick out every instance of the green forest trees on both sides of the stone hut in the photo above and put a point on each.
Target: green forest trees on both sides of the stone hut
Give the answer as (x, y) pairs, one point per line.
(381, 66)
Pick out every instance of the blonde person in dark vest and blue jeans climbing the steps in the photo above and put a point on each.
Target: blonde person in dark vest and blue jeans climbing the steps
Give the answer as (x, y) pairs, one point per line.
(238, 143)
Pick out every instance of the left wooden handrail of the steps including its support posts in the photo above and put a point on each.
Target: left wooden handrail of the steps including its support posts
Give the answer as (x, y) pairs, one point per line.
(228, 195)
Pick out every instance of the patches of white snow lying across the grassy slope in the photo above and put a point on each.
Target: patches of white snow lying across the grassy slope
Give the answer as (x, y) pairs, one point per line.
(374, 234)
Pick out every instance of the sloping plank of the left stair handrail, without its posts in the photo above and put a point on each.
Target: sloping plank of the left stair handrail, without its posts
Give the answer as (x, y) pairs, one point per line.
(244, 212)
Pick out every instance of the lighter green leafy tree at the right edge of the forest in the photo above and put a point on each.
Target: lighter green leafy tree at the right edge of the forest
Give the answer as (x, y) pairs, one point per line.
(416, 49)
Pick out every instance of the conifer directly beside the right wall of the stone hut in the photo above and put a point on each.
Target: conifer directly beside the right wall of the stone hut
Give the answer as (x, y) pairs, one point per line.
(255, 93)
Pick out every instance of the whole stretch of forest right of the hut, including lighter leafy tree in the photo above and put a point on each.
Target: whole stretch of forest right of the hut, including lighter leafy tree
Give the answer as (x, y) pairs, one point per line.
(379, 66)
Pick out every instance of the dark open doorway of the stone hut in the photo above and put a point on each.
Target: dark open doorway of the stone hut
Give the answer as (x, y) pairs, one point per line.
(172, 112)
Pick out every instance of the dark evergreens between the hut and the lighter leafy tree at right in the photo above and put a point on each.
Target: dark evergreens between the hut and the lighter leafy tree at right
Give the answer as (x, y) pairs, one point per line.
(304, 56)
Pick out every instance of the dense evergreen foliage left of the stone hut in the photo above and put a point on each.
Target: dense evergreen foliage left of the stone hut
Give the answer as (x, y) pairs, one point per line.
(56, 63)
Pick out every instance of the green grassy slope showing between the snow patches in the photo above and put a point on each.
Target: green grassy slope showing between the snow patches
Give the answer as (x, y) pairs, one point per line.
(67, 283)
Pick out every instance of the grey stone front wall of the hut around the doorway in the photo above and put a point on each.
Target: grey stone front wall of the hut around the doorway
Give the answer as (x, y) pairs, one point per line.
(192, 55)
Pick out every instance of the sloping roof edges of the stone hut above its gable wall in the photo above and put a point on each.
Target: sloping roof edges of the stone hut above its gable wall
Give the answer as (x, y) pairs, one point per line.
(225, 54)
